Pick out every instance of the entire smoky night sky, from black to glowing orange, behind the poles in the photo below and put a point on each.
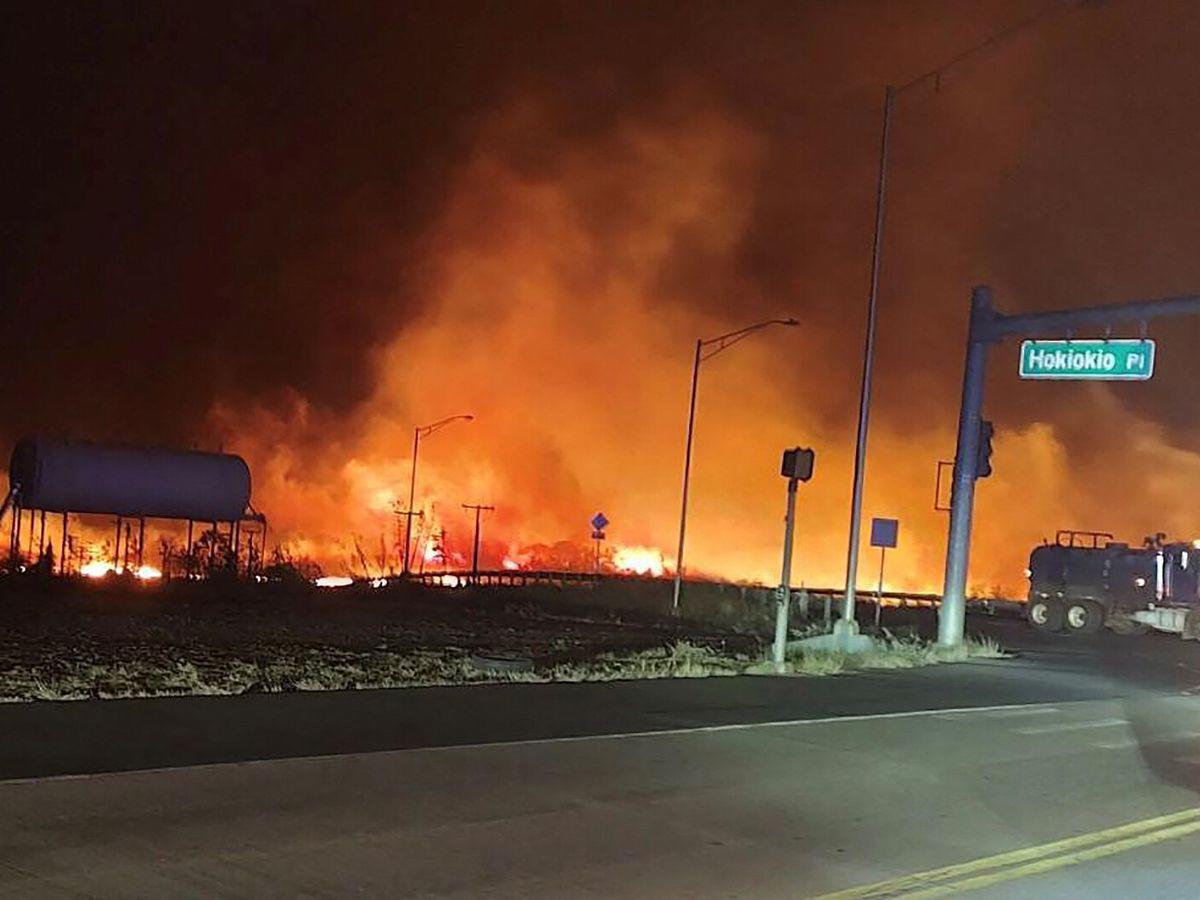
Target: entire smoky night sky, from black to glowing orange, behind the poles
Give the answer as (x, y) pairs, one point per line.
(298, 236)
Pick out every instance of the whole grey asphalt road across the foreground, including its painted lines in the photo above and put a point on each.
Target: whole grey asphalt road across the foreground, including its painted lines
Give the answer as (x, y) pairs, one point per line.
(754, 788)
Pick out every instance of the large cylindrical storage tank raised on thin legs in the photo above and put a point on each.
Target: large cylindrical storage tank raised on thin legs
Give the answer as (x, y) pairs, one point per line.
(77, 477)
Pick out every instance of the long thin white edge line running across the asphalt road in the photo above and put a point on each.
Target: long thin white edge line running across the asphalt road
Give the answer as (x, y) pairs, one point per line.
(568, 740)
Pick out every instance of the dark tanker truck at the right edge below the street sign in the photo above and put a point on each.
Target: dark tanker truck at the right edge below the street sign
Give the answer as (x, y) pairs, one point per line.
(1087, 581)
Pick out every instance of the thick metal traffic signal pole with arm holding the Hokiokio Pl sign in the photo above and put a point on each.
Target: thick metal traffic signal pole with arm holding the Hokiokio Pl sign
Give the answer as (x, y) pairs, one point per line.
(988, 327)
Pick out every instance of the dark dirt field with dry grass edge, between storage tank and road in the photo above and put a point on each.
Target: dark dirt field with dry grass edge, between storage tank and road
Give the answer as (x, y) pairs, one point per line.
(113, 639)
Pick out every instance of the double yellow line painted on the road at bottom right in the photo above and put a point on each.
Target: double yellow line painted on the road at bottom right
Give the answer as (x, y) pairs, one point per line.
(1151, 830)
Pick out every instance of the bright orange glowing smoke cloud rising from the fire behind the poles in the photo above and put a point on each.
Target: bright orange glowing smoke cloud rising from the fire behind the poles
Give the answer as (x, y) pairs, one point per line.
(547, 320)
